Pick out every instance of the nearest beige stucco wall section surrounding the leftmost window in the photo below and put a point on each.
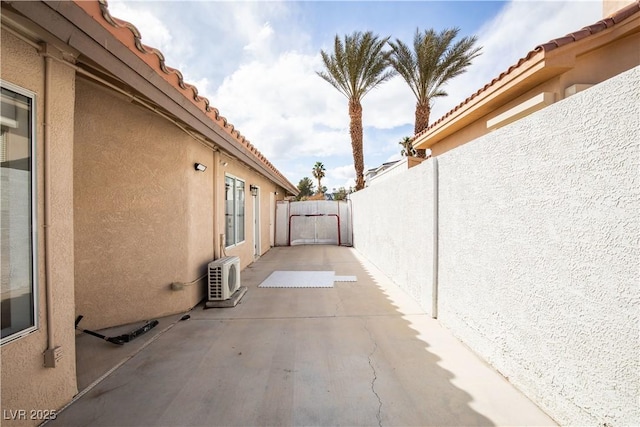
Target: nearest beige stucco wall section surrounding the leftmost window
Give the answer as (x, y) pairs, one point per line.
(26, 384)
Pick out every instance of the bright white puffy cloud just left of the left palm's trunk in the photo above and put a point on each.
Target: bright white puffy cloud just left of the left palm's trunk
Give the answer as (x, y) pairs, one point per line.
(286, 107)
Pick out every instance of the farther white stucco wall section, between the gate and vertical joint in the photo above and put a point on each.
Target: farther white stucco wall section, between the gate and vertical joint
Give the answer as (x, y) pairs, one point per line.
(392, 228)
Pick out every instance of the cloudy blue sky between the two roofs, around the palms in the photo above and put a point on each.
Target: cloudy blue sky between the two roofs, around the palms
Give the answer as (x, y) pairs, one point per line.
(256, 63)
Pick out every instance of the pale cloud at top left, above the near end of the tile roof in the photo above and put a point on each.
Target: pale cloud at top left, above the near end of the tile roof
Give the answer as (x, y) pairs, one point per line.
(207, 39)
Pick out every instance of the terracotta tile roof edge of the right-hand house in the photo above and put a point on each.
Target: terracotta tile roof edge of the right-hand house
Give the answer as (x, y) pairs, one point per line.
(587, 31)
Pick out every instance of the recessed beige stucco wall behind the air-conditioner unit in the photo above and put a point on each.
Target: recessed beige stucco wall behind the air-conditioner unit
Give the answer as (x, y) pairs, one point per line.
(143, 215)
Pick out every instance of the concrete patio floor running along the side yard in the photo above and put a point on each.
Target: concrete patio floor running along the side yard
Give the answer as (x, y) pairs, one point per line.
(358, 354)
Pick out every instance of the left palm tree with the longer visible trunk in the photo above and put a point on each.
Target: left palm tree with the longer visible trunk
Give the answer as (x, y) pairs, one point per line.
(356, 66)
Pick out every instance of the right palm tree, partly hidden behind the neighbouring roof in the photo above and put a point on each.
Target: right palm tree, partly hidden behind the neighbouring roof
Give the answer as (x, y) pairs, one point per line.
(433, 61)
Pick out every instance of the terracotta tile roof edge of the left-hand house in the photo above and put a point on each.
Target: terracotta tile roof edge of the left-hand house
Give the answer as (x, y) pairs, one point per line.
(129, 35)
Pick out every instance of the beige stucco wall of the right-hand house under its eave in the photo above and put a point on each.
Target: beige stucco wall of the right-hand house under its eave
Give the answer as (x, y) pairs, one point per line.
(590, 68)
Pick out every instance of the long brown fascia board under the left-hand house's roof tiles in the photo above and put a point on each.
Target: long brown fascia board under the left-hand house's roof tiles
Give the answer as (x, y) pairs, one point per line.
(71, 24)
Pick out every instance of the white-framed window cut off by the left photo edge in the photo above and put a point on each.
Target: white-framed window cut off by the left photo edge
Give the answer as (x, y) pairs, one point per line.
(17, 215)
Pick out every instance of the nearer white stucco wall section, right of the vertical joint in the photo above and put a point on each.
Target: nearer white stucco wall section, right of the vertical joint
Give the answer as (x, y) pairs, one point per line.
(539, 252)
